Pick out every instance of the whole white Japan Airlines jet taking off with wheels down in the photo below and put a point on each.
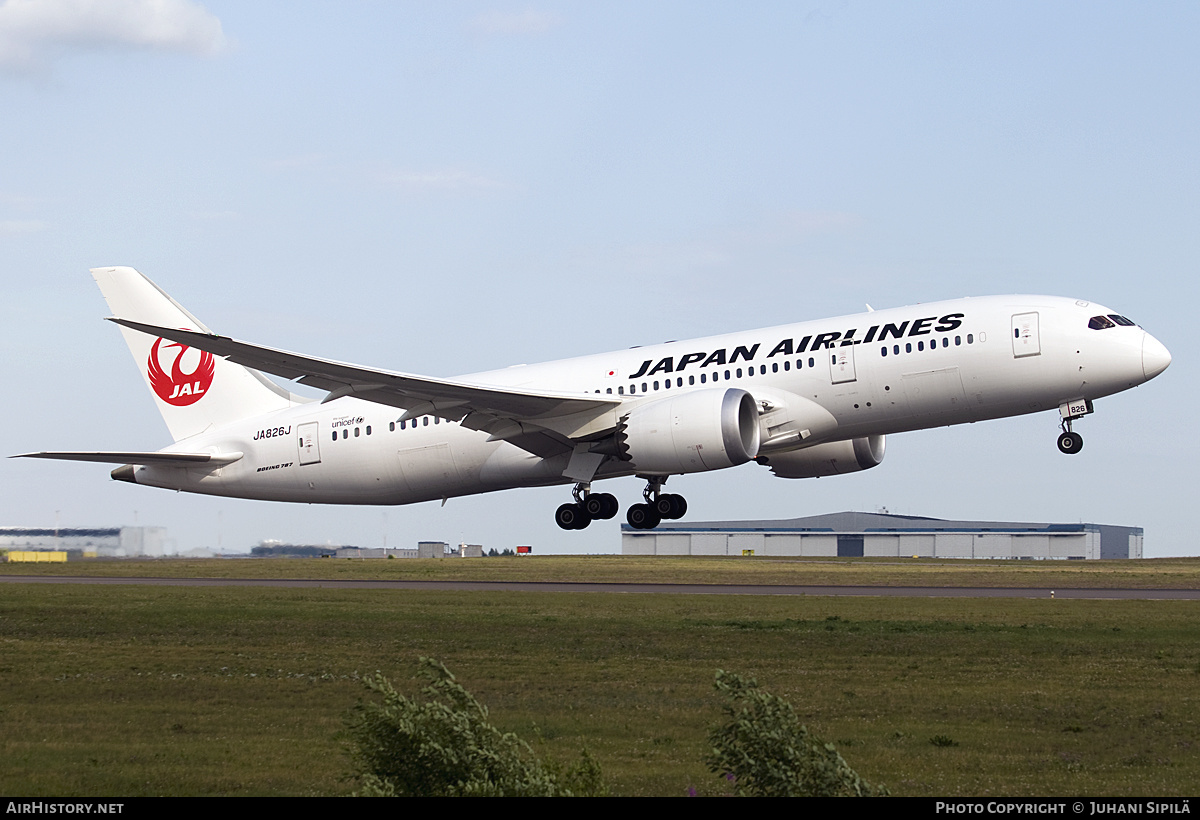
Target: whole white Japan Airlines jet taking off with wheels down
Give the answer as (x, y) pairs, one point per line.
(803, 400)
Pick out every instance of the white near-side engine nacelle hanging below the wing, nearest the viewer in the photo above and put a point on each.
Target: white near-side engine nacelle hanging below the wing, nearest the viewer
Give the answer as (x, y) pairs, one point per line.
(693, 432)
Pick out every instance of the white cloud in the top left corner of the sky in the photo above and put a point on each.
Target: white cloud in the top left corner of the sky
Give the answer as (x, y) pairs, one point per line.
(32, 32)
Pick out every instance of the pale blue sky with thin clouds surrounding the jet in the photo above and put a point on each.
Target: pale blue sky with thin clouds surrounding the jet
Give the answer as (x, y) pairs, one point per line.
(451, 188)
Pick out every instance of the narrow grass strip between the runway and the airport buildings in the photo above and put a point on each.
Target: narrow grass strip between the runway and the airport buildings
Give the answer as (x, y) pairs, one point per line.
(1156, 573)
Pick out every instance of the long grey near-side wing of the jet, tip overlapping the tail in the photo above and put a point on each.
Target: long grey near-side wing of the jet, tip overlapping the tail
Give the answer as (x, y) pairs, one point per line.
(503, 412)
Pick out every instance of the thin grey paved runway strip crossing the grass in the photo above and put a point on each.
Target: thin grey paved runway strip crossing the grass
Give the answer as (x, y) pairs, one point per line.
(637, 589)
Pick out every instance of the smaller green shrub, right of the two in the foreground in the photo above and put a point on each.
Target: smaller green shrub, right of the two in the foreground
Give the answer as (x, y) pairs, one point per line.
(765, 752)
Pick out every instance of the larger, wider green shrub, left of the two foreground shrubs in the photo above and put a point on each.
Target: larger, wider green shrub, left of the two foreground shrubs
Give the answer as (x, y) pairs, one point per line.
(446, 747)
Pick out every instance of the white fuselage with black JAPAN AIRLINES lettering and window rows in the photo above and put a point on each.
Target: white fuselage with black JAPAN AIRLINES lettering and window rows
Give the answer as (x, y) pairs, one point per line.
(875, 374)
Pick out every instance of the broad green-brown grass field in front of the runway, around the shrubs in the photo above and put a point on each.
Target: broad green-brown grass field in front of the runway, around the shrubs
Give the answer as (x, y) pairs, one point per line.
(153, 691)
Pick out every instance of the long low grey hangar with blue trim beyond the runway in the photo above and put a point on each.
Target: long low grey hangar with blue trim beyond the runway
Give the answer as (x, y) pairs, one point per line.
(881, 535)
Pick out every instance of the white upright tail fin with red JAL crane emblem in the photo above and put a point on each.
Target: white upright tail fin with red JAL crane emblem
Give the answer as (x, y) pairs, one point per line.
(193, 390)
